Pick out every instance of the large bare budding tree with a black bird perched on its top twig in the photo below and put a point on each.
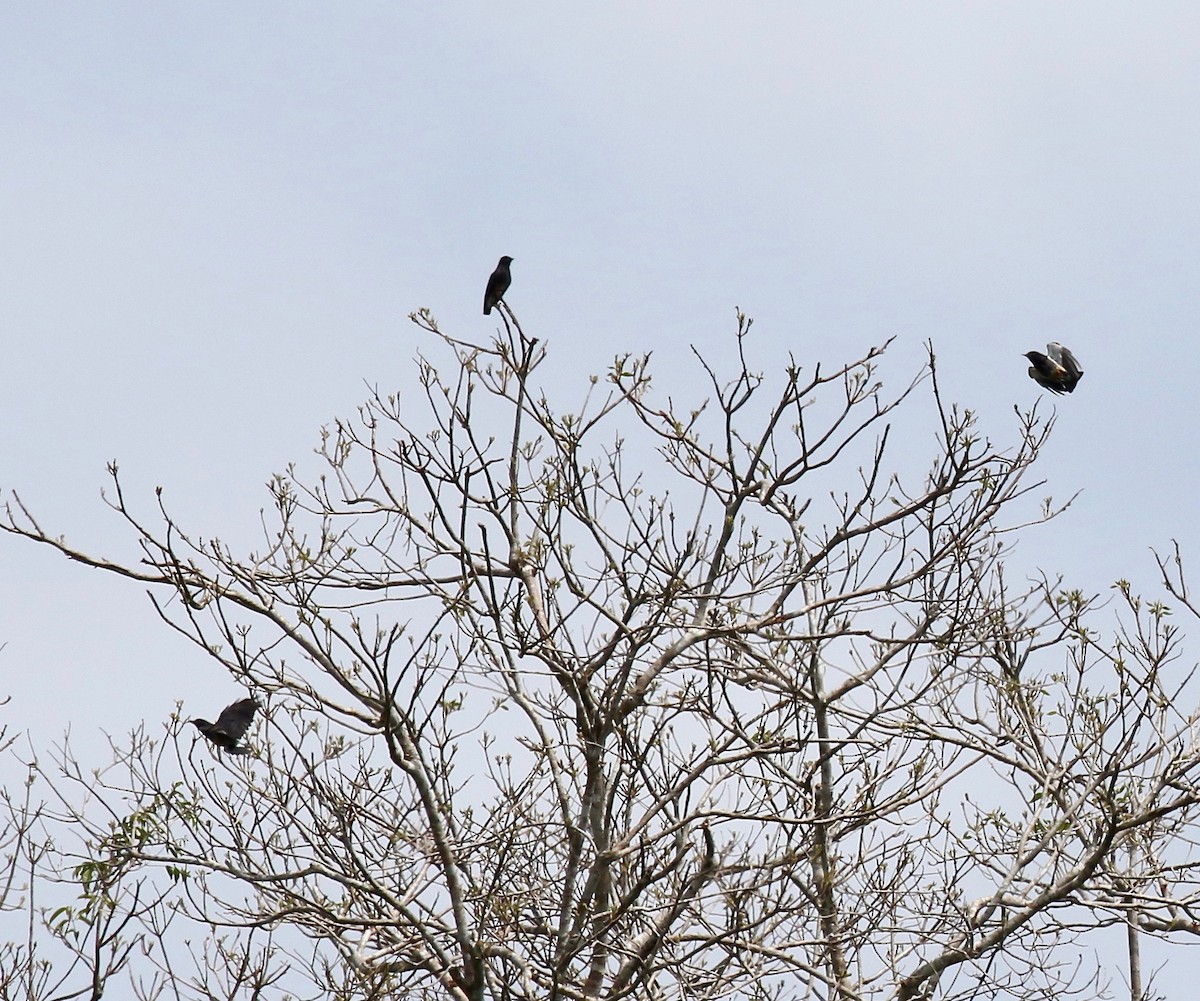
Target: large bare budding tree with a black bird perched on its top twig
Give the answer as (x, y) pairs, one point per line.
(652, 700)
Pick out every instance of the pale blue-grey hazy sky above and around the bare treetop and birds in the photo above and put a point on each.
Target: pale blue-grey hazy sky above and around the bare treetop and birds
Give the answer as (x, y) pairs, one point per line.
(217, 218)
